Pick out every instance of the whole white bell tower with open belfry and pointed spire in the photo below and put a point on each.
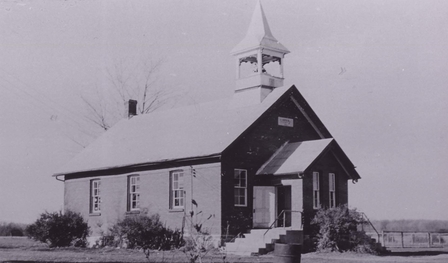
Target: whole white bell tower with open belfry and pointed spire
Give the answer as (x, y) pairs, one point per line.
(259, 61)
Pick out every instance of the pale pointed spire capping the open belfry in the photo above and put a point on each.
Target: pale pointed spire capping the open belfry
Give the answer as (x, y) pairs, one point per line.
(259, 34)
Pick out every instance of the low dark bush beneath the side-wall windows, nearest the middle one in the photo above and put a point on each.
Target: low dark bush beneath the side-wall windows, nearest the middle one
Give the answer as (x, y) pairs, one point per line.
(146, 232)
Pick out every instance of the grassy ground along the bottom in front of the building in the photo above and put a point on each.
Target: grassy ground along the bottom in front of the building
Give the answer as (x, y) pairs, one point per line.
(23, 249)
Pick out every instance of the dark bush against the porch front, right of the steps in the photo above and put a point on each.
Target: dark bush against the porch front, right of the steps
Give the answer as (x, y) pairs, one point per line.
(338, 230)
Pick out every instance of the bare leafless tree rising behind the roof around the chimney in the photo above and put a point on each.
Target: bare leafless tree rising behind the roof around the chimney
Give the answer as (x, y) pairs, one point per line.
(125, 81)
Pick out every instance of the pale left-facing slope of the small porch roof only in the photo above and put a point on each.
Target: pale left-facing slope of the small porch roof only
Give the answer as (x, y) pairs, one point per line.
(294, 158)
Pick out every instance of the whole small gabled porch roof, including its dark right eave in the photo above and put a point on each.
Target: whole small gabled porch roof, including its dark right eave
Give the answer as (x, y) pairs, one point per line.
(297, 157)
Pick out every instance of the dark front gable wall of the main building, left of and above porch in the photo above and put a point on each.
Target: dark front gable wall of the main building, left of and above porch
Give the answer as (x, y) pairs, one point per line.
(252, 150)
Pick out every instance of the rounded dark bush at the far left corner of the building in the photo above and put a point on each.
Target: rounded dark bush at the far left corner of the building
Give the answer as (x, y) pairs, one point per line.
(59, 229)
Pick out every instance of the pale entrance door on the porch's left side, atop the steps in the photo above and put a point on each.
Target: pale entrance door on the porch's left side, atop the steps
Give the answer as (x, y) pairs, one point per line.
(264, 206)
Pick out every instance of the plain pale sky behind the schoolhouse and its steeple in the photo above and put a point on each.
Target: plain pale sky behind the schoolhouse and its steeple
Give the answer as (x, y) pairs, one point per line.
(375, 72)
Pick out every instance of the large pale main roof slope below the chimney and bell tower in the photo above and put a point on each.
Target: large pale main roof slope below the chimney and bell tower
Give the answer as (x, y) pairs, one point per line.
(194, 131)
